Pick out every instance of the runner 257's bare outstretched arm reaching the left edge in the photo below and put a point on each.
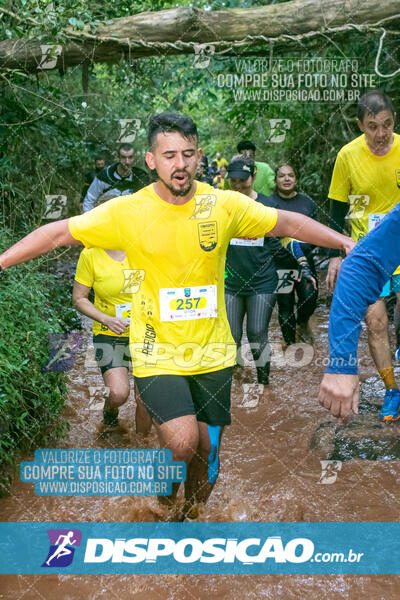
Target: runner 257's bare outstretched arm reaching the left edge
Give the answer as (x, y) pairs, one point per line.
(38, 242)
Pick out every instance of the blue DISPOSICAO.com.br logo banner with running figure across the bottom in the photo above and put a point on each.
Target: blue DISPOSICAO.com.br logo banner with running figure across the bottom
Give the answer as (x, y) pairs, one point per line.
(200, 548)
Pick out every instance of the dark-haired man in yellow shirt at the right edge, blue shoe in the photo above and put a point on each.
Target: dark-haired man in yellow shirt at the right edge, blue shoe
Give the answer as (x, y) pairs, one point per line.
(366, 180)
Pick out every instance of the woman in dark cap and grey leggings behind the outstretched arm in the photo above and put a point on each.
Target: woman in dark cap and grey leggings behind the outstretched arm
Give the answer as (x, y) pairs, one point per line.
(251, 276)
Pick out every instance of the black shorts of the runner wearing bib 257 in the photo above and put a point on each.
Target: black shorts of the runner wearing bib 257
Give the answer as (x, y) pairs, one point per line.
(207, 395)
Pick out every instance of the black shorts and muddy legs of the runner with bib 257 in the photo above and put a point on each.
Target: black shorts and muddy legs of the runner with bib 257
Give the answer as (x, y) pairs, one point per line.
(190, 413)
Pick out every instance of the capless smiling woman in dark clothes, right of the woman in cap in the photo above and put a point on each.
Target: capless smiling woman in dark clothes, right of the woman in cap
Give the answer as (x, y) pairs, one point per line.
(294, 319)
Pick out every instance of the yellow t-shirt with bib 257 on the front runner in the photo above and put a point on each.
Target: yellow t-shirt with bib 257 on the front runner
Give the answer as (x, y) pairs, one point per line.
(176, 256)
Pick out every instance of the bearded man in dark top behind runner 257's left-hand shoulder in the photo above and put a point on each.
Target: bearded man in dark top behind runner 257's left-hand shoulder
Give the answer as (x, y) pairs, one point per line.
(117, 179)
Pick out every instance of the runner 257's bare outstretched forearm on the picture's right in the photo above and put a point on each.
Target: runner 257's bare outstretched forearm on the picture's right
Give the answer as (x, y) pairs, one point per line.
(300, 227)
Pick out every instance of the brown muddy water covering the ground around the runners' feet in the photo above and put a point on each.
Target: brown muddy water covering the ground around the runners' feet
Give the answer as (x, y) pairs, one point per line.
(270, 471)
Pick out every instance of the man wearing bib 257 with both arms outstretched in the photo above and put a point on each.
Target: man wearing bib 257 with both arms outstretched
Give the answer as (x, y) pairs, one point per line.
(175, 234)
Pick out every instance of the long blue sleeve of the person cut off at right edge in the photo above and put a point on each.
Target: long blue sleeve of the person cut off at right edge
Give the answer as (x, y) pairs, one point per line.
(361, 279)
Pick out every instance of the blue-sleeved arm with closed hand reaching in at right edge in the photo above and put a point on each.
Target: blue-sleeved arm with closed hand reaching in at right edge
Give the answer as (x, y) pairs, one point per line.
(360, 281)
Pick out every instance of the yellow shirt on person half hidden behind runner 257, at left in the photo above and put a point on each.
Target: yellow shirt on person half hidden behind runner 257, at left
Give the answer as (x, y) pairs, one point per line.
(97, 270)
